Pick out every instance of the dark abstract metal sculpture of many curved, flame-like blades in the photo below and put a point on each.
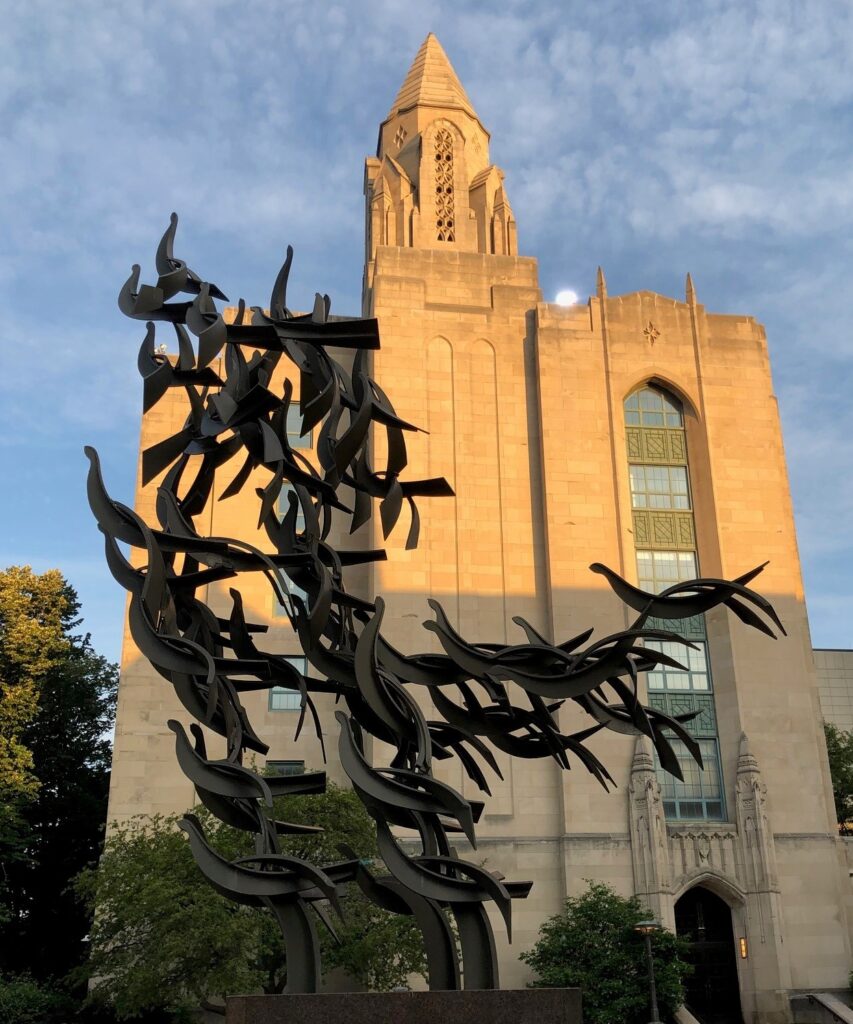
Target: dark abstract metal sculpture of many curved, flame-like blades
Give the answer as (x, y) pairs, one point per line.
(211, 661)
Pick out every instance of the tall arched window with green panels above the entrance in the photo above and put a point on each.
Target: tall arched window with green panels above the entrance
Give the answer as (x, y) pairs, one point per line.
(665, 537)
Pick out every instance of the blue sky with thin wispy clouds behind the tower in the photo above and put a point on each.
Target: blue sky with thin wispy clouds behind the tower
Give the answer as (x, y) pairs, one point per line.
(651, 138)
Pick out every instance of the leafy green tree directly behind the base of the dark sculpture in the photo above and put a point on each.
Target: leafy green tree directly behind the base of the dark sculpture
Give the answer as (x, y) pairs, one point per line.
(164, 940)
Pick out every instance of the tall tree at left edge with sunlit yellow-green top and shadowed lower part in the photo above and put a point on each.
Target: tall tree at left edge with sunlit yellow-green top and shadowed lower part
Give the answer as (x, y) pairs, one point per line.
(57, 825)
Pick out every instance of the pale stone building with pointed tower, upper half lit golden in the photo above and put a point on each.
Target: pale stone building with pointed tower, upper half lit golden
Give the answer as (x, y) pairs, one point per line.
(636, 431)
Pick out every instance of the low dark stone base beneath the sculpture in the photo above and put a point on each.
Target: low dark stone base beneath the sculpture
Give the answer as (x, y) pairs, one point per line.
(529, 1006)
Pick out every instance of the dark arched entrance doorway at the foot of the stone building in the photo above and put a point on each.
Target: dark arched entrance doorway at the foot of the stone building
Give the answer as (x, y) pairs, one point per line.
(705, 921)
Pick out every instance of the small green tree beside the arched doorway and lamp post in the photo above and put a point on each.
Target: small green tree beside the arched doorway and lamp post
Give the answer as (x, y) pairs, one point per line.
(592, 946)
